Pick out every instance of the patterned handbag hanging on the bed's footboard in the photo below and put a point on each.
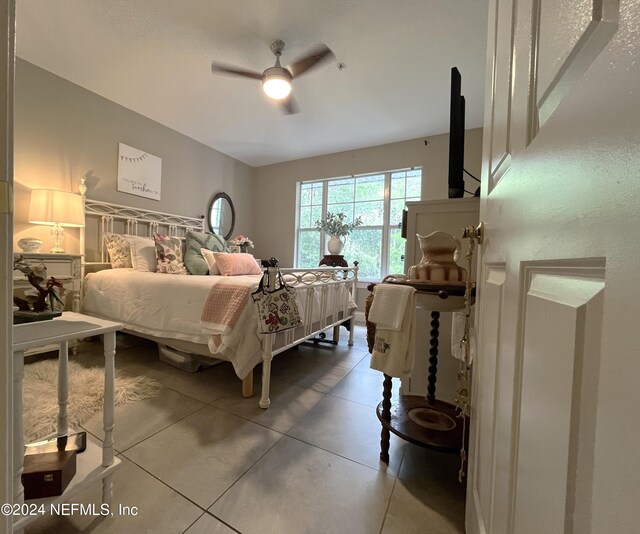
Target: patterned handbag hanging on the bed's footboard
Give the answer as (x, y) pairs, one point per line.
(276, 307)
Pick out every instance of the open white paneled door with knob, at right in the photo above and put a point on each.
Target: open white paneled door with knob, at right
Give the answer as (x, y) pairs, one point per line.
(555, 441)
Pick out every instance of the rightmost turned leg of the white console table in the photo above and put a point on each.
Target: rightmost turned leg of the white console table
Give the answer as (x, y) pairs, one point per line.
(109, 341)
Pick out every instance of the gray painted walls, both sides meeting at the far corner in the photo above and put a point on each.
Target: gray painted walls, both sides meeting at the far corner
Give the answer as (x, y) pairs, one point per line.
(64, 132)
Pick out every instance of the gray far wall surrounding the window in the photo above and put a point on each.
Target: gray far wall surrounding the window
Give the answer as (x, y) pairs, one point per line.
(274, 186)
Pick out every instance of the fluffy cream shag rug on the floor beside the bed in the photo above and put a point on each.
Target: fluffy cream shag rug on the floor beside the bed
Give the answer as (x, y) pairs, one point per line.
(86, 395)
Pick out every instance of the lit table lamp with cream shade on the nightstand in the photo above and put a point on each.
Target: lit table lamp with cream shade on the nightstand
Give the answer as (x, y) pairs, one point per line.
(57, 209)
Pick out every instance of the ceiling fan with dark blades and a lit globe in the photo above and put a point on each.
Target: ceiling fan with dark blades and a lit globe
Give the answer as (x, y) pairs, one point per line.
(276, 80)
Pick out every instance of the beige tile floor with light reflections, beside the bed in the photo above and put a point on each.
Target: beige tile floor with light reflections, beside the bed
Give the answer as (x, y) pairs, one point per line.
(200, 459)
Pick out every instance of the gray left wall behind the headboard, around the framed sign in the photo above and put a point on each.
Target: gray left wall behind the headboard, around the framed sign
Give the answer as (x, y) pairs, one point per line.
(64, 132)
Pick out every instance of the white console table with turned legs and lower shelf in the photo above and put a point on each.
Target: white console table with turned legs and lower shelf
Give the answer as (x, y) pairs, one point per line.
(95, 463)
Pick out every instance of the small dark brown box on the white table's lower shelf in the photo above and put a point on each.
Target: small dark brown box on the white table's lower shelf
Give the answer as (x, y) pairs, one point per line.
(48, 474)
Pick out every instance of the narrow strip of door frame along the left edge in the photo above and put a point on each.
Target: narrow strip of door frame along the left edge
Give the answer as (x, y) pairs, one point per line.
(7, 18)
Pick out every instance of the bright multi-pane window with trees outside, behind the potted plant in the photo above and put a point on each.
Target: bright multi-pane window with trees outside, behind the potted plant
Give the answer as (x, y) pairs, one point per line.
(378, 198)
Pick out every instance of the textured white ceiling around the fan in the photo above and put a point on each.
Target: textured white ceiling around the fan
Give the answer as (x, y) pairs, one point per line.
(154, 57)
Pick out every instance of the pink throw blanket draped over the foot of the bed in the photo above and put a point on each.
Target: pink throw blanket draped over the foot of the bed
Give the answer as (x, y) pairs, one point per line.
(226, 300)
